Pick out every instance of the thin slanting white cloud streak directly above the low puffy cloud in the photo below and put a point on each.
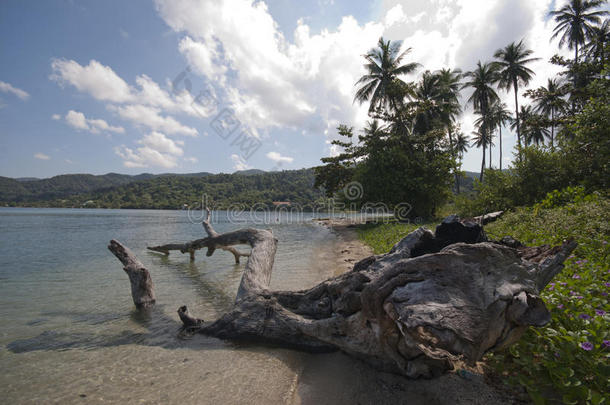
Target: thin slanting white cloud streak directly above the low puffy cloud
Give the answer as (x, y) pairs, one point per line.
(151, 117)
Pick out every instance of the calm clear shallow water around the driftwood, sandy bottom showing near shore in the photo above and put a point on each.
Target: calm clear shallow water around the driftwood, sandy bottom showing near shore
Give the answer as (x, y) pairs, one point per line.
(70, 333)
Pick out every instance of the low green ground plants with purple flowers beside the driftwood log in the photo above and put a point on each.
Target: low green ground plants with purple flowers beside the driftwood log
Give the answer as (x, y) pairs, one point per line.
(567, 361)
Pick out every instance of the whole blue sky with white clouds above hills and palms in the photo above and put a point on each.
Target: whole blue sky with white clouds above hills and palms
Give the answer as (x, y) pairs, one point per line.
(96, 86)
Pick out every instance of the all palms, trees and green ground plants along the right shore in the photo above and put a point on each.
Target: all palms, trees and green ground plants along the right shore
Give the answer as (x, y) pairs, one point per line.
(556, 188)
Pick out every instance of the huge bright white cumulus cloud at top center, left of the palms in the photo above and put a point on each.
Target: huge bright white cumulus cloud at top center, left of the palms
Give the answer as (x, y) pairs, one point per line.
(306, 84)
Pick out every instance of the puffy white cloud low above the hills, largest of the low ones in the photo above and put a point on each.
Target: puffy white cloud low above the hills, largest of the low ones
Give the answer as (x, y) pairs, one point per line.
(156, 150)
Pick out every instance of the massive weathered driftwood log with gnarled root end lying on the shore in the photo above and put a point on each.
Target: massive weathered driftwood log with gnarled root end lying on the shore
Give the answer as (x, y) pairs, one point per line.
(435, 298)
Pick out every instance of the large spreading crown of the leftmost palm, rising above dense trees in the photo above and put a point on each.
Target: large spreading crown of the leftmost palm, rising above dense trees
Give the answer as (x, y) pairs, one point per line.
(382, 85)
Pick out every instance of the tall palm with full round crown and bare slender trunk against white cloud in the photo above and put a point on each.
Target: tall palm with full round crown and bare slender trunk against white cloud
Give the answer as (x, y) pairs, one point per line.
(511, 62)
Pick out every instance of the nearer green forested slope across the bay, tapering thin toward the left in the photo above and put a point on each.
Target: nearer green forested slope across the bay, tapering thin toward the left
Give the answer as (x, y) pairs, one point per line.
(173, 191)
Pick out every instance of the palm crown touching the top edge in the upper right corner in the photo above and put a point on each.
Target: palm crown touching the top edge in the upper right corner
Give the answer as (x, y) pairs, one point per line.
(575, 22)
